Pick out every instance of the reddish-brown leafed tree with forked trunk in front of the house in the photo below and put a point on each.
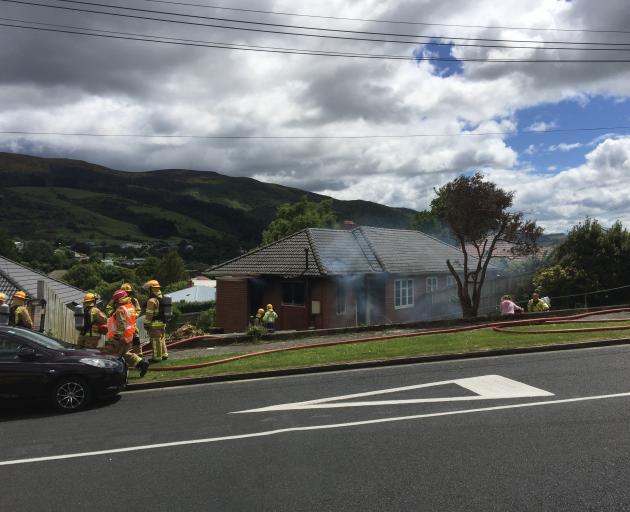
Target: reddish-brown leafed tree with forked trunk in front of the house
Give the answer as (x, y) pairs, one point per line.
(477, 213)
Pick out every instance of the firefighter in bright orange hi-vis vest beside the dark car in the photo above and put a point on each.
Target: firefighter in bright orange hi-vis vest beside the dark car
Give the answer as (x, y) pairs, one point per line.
(121, 327)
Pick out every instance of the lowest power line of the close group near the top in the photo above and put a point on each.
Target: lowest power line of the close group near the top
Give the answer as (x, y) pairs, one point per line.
(242, 47)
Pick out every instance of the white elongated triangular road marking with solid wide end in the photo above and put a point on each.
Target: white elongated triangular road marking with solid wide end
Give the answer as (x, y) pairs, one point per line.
(486, 387)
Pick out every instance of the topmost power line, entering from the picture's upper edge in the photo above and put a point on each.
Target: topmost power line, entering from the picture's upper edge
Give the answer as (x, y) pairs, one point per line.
(395, 22)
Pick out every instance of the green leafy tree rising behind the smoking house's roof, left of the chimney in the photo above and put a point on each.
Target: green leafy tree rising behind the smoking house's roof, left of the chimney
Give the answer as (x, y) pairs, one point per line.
(303, 214)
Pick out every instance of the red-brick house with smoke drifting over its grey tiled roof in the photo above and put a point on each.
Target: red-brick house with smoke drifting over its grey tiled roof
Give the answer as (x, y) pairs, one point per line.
(325, 278)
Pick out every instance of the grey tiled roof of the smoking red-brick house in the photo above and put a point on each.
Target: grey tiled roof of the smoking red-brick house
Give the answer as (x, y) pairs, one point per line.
(364, 250)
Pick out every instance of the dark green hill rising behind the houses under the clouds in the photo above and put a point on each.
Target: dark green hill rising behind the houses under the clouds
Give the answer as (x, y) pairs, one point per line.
(75, 201)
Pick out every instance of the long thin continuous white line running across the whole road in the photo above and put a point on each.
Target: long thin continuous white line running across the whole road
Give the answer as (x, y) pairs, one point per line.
(303, 429)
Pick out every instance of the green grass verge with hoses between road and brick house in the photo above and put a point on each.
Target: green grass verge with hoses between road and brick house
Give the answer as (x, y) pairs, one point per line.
(470, 341)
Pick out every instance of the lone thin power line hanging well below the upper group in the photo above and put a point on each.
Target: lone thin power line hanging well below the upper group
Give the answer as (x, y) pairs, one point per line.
(315, 137)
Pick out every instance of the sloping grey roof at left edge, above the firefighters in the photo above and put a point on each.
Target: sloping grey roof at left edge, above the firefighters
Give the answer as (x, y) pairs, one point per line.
(14, 276)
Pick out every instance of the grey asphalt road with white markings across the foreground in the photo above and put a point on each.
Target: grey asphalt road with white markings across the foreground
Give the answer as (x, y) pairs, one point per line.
(527, 432)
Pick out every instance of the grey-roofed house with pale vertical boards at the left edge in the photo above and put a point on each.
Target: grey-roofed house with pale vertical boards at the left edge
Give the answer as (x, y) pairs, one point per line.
(50, 299)
